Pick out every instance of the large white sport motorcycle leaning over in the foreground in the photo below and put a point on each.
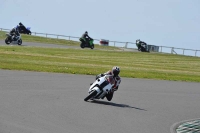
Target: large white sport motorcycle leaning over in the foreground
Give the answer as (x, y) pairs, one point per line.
(100, 87)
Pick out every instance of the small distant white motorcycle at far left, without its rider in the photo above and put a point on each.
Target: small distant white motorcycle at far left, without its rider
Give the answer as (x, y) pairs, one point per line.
(10, 39)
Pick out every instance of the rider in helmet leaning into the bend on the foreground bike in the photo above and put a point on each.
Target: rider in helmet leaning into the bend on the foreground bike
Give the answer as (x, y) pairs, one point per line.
(115, 73)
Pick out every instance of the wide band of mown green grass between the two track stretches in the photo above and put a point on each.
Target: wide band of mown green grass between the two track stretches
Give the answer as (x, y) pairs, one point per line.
(92, 62)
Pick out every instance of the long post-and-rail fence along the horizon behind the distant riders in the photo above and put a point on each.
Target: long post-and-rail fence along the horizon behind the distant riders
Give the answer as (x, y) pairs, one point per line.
(127, 45)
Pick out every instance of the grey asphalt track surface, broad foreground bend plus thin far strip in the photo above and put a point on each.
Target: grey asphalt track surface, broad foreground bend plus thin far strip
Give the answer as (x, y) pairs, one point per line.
(37, 102)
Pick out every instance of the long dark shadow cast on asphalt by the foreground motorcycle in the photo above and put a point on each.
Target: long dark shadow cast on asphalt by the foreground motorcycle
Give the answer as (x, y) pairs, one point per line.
(115, 104)
